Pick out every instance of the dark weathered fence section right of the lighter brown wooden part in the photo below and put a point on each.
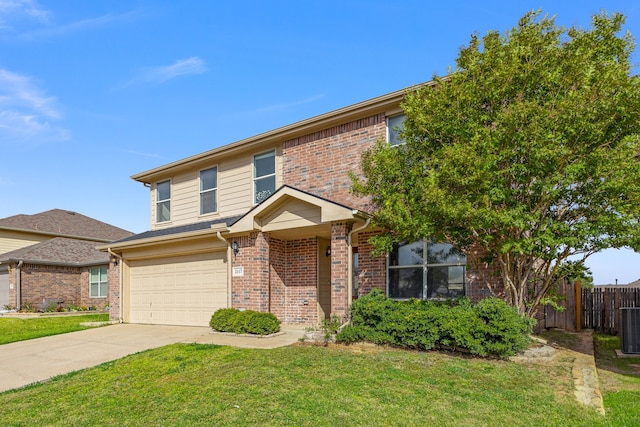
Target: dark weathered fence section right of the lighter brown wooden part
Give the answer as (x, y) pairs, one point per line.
(601, 307)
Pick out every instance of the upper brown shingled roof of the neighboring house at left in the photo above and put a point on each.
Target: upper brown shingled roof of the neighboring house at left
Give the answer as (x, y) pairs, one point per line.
(58, 222)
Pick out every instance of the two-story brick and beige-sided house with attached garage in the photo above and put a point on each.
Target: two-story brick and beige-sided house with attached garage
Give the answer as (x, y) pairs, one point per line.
(269, 223)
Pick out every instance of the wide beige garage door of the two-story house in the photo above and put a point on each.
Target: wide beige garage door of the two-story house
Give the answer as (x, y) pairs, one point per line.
(183, 290)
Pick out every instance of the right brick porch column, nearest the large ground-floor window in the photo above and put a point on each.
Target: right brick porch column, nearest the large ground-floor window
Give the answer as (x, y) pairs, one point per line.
(339, 268)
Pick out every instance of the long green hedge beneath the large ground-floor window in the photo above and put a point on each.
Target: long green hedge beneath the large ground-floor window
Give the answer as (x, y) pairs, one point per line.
(490, 327)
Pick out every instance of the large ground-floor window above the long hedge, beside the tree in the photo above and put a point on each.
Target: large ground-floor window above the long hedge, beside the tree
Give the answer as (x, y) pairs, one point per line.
(439, 274)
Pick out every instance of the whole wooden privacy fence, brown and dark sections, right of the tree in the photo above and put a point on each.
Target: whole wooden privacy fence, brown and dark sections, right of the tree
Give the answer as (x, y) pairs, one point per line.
(590, 308)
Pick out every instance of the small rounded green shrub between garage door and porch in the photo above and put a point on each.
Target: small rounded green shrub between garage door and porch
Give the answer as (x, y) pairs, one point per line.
(244, 322)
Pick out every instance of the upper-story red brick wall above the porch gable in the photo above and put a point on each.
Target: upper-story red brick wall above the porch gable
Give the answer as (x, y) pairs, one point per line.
(320, 162)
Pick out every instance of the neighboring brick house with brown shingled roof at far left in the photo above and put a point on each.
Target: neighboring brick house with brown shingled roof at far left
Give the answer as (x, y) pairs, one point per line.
(52, 257)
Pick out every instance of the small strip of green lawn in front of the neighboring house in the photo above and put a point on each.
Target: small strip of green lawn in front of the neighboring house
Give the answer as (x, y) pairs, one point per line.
(14, 329)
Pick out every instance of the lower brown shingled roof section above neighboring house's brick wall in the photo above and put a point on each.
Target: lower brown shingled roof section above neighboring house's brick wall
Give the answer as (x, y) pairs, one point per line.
(59, 251)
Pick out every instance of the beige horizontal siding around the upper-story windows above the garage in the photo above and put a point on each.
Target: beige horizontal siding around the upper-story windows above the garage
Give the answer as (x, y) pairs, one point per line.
(235, 190)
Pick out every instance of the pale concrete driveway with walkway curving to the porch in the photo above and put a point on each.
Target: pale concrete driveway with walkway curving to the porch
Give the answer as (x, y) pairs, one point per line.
(26, 362)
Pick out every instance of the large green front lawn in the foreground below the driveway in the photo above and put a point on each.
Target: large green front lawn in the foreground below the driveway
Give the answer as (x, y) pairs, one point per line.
(301, 385)
